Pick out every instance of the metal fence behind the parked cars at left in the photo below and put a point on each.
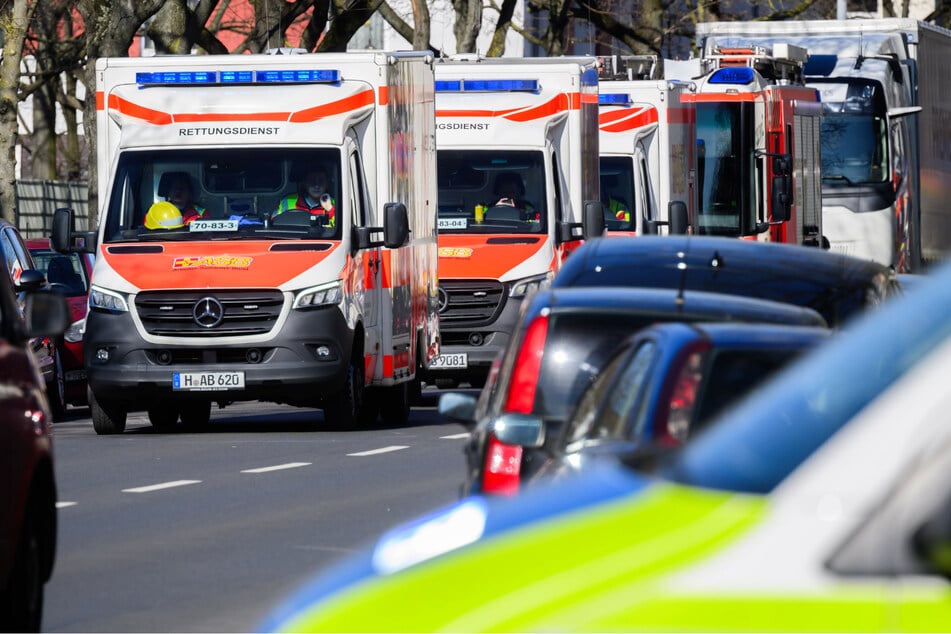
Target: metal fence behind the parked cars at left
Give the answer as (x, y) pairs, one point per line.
(38, 199)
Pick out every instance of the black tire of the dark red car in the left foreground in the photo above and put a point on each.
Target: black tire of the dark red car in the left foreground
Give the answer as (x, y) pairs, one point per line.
(21, 604)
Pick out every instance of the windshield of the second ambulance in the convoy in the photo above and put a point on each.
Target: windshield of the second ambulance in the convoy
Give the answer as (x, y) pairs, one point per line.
(491, 191)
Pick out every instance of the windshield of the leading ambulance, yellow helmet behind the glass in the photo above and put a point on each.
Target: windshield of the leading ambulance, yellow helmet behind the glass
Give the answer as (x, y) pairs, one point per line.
(257, 193)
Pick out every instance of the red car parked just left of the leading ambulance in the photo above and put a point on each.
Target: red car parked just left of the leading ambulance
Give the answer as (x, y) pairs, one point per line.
(68, 274)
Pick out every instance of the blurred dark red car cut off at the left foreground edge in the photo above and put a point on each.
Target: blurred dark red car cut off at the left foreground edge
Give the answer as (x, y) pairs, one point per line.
(27, 481)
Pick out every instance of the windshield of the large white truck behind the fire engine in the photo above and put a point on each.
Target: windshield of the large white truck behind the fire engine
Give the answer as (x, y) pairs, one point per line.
(854, 134)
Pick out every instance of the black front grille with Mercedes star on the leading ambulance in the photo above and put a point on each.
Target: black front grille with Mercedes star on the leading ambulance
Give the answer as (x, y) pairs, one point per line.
(244, 312)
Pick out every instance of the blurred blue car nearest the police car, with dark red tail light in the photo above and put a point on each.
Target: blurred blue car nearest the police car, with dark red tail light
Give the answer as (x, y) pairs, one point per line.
(666, 383)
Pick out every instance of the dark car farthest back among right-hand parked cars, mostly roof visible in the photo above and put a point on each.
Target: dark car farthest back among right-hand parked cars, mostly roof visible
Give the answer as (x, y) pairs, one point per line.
(838, 286)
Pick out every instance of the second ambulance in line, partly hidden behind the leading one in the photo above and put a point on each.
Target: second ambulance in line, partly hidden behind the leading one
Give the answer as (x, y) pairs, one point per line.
(518, 191)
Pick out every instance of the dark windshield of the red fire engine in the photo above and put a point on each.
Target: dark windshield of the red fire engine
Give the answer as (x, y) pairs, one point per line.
(724, 169)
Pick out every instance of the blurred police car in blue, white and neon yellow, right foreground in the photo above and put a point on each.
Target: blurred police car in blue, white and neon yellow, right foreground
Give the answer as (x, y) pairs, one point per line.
(819, 503)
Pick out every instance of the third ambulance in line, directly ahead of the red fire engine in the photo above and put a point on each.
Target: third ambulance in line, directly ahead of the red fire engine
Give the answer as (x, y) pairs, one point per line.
(648, 147)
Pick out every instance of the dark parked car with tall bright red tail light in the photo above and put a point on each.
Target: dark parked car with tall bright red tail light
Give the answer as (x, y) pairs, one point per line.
(561, 342)
